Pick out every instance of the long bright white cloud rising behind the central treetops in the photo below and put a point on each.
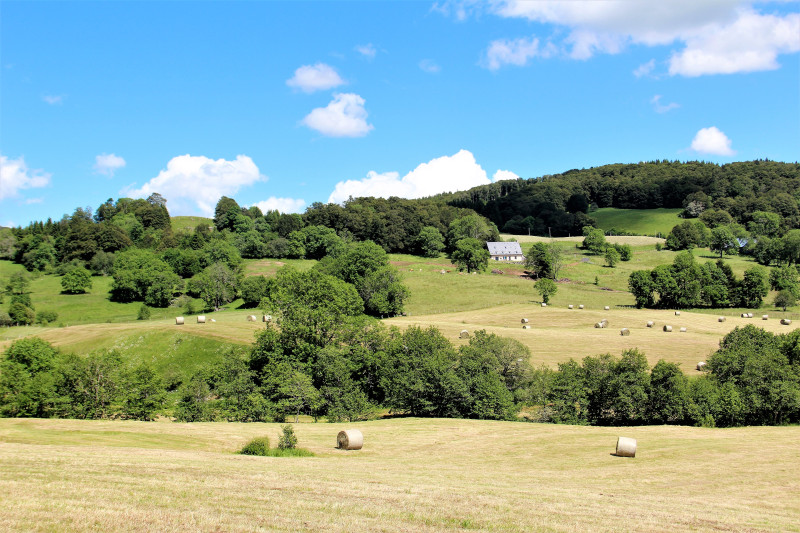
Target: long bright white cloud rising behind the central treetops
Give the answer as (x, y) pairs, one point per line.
(443, 174)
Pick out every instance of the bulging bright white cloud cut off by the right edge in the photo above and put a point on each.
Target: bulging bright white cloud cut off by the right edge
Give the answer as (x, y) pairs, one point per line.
(752, 43)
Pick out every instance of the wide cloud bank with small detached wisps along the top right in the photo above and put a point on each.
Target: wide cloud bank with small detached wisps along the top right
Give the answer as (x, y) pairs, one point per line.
(711, 36)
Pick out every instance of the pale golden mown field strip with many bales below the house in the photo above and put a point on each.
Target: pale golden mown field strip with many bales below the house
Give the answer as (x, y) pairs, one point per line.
(558, 333)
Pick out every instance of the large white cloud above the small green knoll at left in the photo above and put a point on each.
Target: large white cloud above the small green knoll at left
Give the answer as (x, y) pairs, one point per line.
(191, 182)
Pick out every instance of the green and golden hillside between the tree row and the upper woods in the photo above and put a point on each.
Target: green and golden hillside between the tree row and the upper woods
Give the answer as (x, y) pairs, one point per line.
(451, 302)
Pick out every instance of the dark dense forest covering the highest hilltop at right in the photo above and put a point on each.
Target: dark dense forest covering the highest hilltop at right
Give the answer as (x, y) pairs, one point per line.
(559, 204)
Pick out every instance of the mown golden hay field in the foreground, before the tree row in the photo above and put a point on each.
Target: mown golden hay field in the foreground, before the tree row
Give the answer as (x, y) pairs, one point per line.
(411, 475)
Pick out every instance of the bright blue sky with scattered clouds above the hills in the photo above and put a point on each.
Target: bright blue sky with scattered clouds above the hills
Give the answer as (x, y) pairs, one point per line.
(281, 104)
